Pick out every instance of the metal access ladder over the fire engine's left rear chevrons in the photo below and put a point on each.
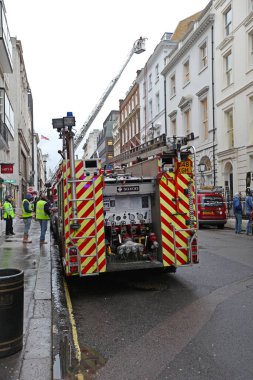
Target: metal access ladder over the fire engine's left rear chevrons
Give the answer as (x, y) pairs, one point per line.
(74, 239)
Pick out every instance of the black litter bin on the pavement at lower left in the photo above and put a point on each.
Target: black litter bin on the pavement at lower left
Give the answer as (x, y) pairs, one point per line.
(11, 311)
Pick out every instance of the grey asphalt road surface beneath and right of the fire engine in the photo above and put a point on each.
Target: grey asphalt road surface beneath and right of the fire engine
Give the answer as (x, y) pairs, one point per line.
(195, 324)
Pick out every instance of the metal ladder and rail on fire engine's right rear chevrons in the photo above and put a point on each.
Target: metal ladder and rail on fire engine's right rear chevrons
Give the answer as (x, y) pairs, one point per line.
(192, 231)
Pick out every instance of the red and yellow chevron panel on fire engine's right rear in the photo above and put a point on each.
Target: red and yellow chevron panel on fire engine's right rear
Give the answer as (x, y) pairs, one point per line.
(175, 211)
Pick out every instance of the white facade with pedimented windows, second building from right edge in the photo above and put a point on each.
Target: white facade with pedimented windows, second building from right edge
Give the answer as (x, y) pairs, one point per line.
(189, 93)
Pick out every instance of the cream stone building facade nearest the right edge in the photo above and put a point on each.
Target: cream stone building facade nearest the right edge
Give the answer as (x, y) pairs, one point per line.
(234, 91)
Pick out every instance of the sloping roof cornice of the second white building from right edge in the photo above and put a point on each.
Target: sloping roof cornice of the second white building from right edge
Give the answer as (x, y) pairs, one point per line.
(176, 55)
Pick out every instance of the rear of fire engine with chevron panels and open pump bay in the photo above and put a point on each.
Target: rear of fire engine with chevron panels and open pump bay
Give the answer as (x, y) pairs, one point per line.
(146, 218)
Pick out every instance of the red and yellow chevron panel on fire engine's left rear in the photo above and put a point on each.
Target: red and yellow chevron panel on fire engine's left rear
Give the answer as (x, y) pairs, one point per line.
(89, 238)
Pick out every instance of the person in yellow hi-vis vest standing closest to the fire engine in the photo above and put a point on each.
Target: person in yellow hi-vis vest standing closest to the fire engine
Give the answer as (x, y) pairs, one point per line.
(42, 214)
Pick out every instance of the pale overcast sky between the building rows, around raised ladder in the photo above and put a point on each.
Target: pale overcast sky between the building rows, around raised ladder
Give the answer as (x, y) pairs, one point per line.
(73, 49)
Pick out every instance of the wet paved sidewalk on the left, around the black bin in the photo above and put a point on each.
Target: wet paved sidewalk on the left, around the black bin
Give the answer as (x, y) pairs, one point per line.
(34, 361)
